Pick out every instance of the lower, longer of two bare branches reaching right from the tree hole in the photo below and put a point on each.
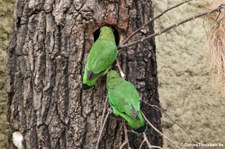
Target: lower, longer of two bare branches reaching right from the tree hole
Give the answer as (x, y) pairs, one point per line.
(172, 26)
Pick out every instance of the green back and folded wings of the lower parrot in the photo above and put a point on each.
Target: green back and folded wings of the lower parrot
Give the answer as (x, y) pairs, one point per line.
(124, 98)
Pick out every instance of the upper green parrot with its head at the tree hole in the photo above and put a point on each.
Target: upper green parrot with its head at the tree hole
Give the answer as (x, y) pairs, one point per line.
(102, 55)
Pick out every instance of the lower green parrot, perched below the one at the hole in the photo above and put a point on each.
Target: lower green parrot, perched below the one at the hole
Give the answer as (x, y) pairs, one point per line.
(125, 102)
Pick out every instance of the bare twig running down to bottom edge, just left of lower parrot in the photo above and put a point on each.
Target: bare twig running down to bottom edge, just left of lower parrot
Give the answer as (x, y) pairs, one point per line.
(102, 124)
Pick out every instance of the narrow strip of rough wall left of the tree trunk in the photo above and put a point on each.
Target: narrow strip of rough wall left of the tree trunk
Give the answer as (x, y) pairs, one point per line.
(6, 8)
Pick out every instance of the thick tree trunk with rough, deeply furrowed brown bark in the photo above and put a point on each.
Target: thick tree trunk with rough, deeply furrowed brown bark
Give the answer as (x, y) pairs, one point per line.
(48, 47)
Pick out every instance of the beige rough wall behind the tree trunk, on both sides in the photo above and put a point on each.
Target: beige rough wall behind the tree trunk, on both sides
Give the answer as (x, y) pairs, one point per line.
(186, 88)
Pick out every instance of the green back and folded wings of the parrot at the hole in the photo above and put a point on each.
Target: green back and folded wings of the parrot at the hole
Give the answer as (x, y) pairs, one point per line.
(103, 53)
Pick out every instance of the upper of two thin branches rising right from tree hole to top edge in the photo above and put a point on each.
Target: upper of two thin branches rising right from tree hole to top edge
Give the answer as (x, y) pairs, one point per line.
(151, 20)
